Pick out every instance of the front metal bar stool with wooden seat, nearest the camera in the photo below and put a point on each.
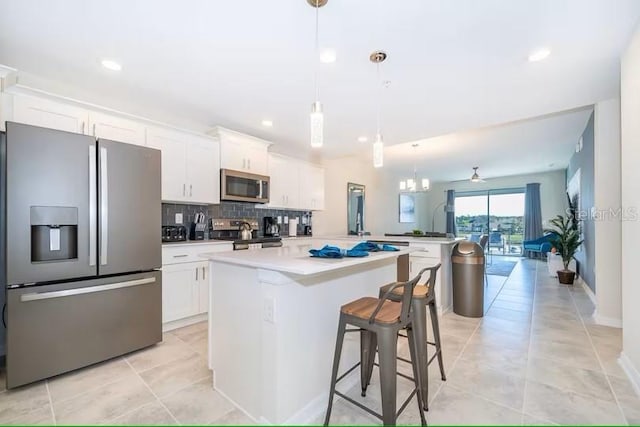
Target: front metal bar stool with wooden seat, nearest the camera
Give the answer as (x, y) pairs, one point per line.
(379, 320)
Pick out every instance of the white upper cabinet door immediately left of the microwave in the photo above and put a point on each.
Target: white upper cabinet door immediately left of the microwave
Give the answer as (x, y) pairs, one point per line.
(203, 170)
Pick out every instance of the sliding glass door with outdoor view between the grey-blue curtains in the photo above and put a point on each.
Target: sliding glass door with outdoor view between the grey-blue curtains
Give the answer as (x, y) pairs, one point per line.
(498, 213)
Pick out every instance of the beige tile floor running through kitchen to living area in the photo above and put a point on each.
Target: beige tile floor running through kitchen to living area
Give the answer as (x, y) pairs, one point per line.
(535, 358)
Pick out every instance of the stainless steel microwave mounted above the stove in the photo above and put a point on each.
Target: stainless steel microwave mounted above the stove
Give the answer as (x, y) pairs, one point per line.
(240, 186)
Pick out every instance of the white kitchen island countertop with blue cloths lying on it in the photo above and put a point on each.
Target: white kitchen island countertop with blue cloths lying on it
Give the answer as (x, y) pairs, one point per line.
(296, 259)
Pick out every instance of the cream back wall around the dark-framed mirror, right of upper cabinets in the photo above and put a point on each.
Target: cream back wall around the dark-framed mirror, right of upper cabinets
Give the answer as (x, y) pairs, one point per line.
(381, 199)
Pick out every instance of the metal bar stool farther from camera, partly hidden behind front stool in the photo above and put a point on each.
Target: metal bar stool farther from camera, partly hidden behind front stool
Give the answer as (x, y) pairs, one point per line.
(423, 296)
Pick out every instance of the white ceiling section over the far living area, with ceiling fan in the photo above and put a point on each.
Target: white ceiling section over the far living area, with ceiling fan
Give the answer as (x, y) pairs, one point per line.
(529, 146)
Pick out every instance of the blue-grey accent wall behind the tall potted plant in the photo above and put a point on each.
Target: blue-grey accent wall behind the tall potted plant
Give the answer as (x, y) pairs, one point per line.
(584, 160)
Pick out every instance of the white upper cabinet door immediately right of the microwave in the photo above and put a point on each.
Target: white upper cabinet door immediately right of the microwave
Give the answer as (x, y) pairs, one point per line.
(284, 182)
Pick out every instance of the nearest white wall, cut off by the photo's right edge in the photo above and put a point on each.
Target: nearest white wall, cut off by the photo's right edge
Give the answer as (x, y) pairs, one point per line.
(630, 173)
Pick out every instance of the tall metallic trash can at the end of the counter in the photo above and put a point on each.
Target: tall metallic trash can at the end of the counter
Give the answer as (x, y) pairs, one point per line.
(467, 259)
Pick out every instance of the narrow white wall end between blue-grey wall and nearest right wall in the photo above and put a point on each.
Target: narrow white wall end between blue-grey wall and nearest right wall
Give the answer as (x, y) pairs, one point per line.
(607, 197)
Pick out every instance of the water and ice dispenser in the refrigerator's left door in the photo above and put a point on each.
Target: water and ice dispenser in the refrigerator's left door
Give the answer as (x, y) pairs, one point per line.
(54, 233)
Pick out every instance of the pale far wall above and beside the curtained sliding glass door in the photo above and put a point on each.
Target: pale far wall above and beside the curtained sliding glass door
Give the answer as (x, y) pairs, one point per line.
(553, 197)
